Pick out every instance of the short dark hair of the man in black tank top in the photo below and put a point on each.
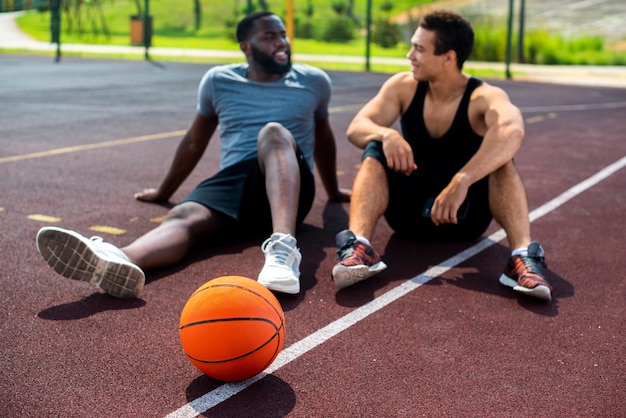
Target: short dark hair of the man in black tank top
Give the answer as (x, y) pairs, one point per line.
(452, 32)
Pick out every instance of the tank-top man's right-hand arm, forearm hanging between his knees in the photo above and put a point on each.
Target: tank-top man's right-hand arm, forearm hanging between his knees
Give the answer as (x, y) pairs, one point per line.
(502, 125)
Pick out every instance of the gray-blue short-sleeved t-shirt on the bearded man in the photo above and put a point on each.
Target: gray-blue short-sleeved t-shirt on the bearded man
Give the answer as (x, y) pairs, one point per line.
(243, 107)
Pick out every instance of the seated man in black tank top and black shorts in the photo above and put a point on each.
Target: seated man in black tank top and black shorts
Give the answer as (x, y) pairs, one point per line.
(450, 171)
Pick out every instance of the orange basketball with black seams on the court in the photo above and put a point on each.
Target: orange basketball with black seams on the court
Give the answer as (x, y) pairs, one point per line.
(232, 328)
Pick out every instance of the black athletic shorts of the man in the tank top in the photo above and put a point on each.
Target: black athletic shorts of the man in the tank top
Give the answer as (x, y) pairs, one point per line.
(411, 196)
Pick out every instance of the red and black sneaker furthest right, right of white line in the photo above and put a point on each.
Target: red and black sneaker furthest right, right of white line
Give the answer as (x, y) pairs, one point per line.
(525, 273)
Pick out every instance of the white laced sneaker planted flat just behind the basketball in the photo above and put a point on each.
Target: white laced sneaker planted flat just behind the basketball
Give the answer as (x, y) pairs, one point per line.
(281, 271)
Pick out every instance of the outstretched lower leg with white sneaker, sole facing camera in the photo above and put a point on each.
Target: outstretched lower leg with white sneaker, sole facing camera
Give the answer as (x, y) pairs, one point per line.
(119, 271)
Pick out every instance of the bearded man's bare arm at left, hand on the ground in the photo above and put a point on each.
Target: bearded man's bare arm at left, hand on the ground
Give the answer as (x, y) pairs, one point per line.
(188, 153)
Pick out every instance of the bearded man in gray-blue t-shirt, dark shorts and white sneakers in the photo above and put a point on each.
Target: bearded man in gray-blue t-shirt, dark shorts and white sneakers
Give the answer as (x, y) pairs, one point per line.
(273, 126)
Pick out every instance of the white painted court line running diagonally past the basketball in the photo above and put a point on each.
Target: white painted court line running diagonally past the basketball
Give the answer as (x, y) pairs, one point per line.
(296, 350)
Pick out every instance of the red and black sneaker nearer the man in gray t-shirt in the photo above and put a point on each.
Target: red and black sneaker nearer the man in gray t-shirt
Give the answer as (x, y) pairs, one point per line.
(357, 261)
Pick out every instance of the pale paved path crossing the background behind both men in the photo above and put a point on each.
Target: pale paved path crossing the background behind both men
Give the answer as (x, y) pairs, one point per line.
(605, 76)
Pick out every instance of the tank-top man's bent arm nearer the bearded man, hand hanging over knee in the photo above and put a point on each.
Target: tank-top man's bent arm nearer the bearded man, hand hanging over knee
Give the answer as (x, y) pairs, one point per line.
(373, 121)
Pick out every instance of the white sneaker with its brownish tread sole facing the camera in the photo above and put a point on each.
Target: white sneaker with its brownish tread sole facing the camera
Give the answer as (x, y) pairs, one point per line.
(90, 260)
